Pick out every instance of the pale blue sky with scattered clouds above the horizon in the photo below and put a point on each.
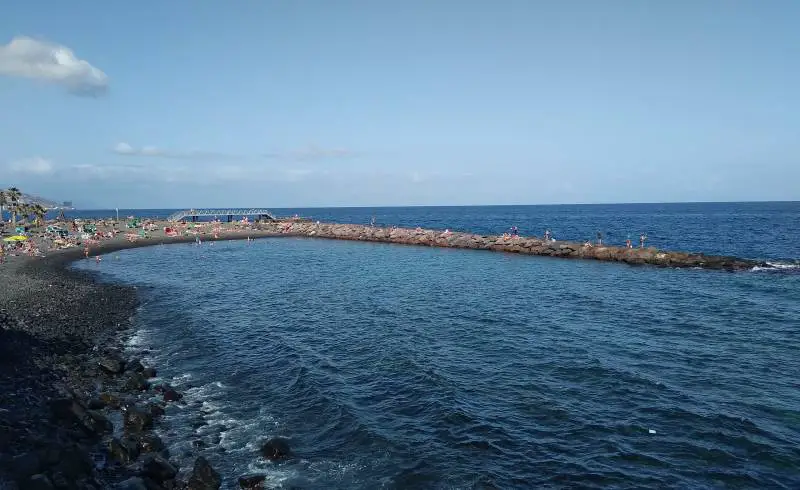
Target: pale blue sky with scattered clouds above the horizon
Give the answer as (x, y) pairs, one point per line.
(304, 103)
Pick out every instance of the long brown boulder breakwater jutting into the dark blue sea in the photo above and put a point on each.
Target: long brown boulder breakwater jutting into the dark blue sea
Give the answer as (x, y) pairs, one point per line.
(516, 244)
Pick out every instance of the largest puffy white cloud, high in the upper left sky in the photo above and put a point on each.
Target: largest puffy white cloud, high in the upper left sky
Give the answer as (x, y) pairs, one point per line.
(30, 58)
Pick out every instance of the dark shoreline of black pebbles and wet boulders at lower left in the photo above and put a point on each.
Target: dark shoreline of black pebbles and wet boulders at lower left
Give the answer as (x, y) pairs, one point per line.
(74, 412)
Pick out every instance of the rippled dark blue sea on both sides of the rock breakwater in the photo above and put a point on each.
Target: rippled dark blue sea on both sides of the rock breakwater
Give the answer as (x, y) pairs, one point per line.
(391, 366)
